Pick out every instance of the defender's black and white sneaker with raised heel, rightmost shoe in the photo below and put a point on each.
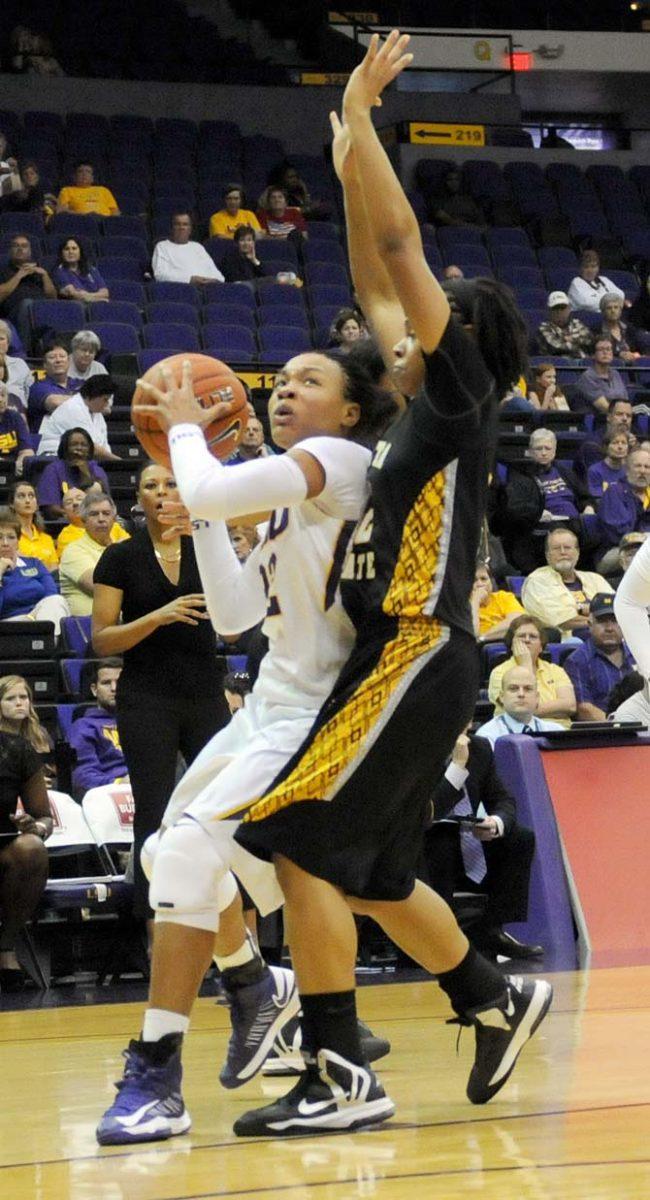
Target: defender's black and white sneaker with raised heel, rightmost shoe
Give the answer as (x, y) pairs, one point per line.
(502, 1033)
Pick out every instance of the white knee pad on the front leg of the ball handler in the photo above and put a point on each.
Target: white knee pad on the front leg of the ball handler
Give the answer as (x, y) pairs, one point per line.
(190, 878)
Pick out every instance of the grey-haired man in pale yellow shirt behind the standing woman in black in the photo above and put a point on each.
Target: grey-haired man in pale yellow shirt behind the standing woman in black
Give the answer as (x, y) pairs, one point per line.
(81, 557)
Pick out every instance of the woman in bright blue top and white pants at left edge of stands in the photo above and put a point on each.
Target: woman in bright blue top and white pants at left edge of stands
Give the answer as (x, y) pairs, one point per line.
(27, 587)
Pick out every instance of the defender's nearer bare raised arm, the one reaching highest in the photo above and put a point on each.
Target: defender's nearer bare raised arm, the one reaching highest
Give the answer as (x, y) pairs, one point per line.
(392, 221)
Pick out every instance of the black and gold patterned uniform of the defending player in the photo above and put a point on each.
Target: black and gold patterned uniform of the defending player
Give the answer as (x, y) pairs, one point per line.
(350, 806)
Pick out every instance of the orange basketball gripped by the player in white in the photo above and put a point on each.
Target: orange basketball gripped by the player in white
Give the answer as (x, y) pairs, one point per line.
(209, 377)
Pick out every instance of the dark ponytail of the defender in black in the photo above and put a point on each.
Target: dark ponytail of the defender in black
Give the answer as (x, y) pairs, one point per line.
(501, 333)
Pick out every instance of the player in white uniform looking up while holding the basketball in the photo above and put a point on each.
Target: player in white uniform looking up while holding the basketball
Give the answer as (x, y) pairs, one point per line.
(326, 412)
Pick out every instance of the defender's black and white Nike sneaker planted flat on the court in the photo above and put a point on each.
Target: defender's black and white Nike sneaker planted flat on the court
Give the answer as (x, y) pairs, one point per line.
(338, 1096)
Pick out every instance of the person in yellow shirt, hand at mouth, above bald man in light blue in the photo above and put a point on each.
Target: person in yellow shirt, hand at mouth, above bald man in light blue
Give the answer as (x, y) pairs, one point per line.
(526, 640)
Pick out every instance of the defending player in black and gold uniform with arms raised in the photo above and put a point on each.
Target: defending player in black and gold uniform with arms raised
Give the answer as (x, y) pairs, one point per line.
(345, 820)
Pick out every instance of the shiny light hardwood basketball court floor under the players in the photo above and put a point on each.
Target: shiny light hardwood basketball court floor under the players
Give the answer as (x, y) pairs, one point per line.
(573, 1123)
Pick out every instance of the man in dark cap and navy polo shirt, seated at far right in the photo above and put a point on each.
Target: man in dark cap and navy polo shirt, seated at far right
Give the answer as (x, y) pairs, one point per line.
(600, 663)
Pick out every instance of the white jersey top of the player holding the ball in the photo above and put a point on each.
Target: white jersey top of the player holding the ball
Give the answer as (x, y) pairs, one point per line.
(300, 563)
